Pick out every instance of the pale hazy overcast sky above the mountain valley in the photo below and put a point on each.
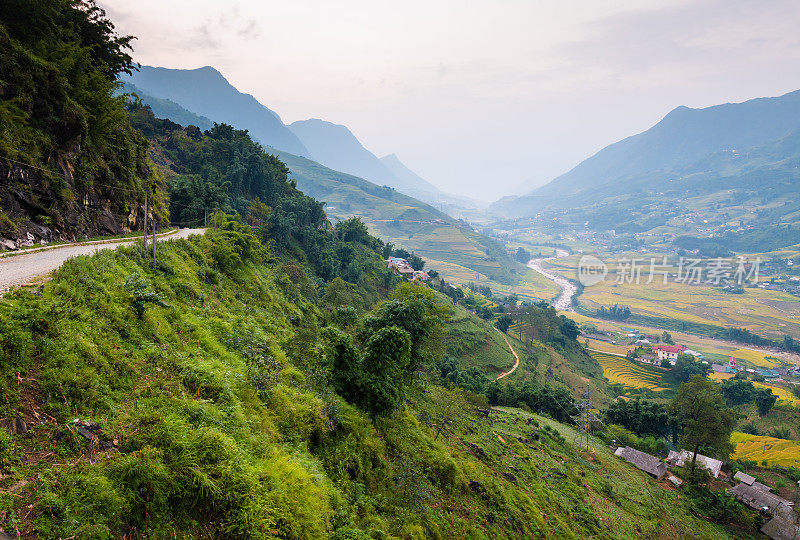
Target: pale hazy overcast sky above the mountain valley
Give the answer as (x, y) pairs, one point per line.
(481, 98)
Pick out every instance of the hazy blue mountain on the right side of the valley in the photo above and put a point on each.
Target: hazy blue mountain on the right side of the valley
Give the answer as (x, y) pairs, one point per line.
(688, 147)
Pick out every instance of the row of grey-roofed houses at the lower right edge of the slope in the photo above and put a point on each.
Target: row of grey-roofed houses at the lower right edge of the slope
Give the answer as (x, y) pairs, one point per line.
(784, 522)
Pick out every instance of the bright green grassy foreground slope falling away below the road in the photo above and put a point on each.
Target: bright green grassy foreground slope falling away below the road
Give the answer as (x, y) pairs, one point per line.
(224, 429)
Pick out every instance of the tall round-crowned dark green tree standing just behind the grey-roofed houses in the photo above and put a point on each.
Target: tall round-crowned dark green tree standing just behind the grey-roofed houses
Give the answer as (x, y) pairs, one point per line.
(705, 421)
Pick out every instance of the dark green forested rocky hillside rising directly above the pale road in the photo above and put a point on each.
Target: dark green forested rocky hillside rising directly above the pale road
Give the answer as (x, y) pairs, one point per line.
(71, 164)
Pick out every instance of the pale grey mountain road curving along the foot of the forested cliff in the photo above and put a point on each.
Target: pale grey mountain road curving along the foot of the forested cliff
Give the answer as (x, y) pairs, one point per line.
(20, 269)
